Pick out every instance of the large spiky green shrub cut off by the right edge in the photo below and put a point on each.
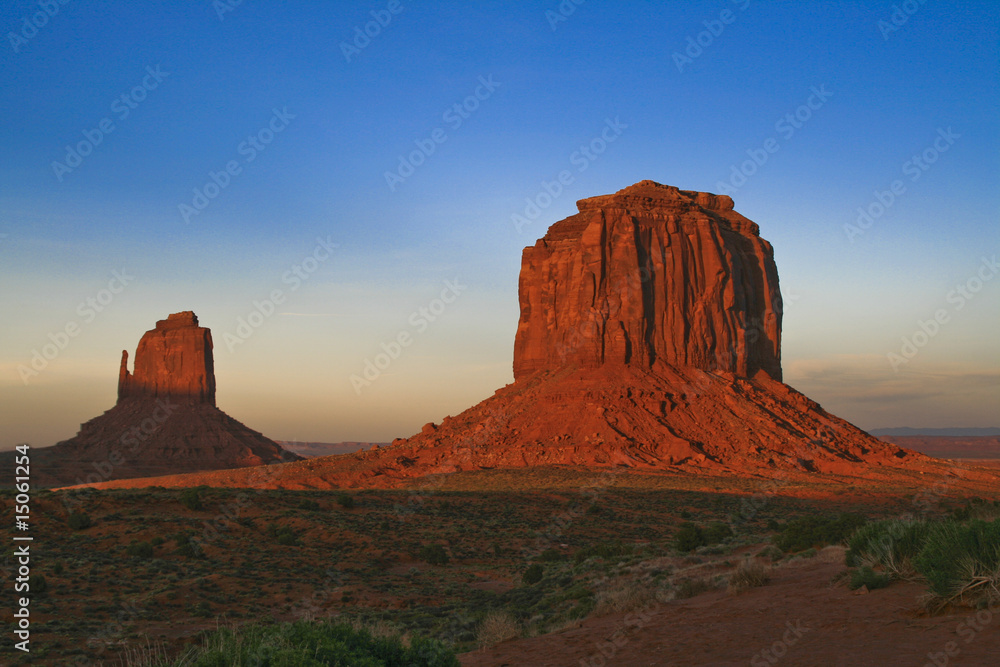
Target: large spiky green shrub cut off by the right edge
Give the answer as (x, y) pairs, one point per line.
(962, 560)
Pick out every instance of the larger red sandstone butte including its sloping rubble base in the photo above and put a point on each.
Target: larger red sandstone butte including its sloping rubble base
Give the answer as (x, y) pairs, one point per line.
(649, 337)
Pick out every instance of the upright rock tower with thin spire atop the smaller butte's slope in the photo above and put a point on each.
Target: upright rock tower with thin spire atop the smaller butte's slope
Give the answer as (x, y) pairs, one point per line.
(174, 360)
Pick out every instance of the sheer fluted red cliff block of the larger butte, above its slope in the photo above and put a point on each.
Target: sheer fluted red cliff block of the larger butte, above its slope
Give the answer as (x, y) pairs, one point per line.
(650, 273)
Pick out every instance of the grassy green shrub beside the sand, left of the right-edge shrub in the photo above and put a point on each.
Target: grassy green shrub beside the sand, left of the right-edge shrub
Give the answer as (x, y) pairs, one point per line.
(892, 544)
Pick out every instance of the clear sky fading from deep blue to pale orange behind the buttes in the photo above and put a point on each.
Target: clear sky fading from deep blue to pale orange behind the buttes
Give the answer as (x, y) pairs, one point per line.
(167, 156)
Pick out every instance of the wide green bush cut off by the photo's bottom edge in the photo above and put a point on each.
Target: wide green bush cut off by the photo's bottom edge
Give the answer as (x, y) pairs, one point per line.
(314, 644)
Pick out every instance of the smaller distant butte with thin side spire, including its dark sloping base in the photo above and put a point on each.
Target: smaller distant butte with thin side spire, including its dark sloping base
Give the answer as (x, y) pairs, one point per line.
(165, 420)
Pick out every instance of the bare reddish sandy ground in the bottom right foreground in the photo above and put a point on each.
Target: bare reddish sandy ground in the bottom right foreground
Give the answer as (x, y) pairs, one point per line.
(798, 615)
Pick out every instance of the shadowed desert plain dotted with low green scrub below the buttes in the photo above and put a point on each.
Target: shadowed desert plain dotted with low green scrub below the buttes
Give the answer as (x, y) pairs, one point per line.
(464, 568)
